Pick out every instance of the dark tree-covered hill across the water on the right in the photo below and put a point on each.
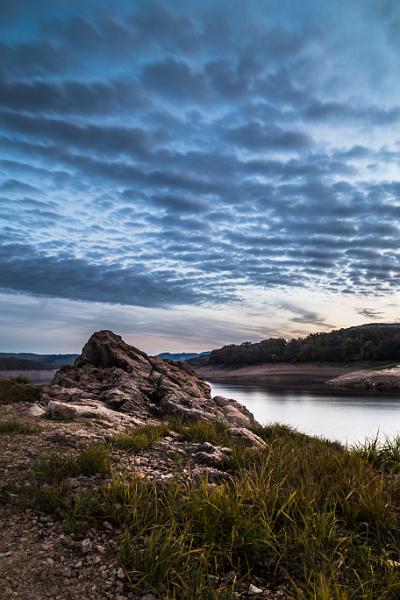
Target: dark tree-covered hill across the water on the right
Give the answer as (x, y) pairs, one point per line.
(373, 342)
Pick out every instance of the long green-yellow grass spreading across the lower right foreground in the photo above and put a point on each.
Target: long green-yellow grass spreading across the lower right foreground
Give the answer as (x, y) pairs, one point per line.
(320, 518)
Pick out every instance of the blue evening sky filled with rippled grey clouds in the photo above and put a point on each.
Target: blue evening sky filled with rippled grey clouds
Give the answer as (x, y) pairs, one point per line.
(191, 174)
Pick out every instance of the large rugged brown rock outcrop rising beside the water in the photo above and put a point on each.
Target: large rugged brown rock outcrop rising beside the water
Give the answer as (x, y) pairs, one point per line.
(117, 383)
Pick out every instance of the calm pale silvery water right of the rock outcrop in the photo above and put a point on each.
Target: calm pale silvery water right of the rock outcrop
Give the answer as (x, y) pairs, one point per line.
(348, 418)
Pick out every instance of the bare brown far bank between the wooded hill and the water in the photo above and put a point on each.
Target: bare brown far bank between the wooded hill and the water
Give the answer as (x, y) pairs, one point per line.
(280, 374)
